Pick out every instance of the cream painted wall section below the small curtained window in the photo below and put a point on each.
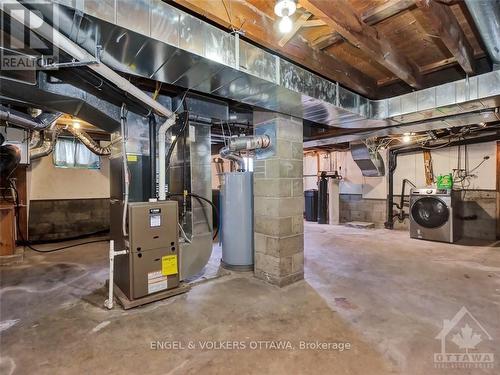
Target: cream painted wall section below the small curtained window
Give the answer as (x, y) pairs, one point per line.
(48, 182)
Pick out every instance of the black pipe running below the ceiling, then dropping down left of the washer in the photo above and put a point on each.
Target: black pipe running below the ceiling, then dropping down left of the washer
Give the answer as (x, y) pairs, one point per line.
(393, 163)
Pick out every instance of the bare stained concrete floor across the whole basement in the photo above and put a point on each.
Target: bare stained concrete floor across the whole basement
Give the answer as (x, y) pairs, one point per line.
(378, 290)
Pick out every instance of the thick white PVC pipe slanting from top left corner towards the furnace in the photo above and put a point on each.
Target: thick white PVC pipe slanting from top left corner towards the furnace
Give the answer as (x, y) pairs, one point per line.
(80, 54)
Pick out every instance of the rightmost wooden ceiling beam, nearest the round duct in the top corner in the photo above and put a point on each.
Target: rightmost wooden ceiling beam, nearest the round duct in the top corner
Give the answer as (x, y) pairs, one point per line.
(446, 25)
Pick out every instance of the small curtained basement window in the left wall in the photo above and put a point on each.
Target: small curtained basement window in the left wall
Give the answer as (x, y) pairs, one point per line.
(71, 153)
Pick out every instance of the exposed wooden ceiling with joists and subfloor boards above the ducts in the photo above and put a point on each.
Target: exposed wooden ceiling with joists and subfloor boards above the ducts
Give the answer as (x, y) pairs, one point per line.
(375, 47)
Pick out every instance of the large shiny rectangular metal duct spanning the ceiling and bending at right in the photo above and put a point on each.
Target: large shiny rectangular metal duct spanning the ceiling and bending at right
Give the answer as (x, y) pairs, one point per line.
(187, 52)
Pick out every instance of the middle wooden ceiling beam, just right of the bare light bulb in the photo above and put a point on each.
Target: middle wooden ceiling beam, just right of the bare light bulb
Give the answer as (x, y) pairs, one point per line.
(342, 18)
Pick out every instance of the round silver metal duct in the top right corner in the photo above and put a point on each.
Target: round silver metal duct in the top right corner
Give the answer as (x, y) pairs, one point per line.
(486, 15)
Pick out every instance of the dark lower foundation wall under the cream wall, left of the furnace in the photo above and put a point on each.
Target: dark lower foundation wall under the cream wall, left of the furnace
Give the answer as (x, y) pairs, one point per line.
(62, 218)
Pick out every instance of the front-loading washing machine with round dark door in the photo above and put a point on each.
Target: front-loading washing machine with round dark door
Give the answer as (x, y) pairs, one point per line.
(433, 215)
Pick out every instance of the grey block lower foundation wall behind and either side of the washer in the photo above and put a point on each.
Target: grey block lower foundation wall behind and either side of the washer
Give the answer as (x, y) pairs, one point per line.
(477, 208)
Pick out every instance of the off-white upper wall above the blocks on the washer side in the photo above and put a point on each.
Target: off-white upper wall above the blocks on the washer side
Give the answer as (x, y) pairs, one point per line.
(409, 166)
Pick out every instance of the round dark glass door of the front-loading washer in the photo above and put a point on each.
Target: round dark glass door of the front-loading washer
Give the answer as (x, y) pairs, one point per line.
(430, 212)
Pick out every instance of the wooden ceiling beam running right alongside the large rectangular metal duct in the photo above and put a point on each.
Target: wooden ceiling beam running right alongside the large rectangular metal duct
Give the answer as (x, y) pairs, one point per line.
(261, 28)
